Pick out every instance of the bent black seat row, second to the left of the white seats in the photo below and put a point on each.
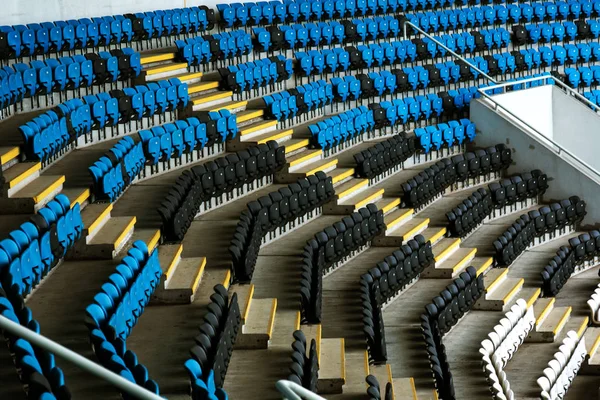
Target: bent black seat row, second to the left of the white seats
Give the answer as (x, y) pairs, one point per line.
(383, 282)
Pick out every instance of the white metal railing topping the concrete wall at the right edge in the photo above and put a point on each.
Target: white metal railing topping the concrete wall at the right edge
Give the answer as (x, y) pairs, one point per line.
(485, 92)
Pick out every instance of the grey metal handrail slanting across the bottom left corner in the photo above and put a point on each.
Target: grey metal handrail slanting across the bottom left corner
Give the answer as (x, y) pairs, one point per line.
(38, 340)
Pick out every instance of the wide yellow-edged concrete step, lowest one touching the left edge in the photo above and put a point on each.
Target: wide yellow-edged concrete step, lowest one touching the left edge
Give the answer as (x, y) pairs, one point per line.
(33, 195)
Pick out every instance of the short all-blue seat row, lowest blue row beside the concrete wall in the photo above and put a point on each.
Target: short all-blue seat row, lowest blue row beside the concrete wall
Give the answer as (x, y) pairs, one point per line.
(446, 134)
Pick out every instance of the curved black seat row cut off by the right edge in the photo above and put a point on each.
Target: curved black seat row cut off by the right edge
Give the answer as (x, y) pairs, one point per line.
(581, 250)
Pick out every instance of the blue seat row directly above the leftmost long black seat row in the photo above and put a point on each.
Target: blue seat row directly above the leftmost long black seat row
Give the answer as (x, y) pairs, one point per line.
(171, 140)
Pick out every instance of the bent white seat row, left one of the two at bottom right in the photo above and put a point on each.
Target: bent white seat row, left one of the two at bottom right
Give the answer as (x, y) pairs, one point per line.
(501, 345)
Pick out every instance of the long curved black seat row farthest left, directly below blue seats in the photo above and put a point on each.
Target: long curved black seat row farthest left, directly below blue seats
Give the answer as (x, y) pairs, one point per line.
(211, 180)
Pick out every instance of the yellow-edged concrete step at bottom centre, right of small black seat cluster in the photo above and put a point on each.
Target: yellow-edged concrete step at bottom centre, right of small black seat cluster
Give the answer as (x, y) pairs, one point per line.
(332, 366)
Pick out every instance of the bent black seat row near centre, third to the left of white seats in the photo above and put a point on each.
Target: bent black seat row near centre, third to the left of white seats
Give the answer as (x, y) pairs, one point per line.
(330, 246)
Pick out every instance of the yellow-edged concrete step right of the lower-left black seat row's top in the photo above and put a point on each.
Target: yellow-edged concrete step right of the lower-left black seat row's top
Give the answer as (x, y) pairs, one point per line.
(258, 328)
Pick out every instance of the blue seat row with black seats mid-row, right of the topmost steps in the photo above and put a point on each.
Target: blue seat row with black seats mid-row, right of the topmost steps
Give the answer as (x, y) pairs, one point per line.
(201, 50)
